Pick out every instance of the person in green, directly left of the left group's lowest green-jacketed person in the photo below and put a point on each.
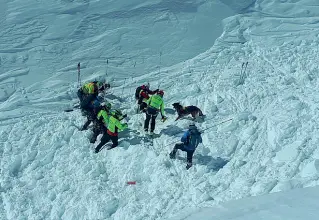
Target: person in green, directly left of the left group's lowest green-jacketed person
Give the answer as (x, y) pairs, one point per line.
(101, 121)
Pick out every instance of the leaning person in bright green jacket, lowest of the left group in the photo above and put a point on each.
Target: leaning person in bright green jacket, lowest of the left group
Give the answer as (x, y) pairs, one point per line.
(113, 127)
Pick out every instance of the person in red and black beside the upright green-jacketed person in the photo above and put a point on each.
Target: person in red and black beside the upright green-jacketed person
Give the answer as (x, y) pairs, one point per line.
(142, 94)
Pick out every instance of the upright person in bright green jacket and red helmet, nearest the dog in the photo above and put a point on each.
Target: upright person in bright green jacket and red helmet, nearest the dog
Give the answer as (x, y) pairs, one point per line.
(155, 104)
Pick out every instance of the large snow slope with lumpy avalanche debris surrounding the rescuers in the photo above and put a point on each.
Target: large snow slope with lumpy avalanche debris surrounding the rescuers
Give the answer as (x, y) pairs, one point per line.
(194, 51)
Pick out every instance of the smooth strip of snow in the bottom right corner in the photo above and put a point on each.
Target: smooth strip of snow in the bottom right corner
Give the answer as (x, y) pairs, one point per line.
(292, 205)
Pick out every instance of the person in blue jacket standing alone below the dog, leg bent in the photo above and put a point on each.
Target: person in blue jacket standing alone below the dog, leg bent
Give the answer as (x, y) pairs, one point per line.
(190, 140)
